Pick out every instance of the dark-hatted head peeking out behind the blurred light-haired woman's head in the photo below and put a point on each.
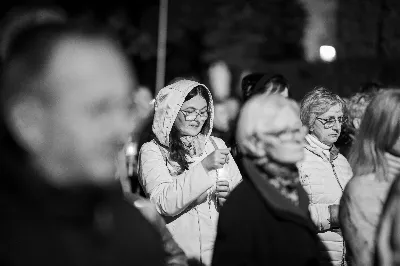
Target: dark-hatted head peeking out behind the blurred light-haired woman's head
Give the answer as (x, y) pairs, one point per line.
(255, 83)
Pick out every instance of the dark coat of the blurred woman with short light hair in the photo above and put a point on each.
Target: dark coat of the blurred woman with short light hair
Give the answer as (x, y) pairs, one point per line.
(258, 226)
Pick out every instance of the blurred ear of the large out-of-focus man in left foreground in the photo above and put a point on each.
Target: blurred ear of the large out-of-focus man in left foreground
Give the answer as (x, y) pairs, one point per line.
(27, 123)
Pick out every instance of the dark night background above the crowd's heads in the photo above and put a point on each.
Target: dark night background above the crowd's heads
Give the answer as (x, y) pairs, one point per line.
(255, 35)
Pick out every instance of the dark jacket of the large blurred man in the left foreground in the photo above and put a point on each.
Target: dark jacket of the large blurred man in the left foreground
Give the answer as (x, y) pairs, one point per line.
(43, 225)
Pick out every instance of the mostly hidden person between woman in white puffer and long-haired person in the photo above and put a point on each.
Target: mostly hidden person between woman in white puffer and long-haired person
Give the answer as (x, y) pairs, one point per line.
(355, 107)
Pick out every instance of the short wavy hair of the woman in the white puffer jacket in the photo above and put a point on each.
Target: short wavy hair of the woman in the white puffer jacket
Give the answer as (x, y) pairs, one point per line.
(317, 102)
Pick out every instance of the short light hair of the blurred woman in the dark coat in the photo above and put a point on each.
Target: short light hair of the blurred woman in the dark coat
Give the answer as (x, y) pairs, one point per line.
(257, 117)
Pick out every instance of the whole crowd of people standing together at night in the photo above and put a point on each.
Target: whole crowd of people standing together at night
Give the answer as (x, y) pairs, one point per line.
(315, 183)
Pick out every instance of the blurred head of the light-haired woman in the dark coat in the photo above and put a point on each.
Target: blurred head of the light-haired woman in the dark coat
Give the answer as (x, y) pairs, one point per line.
(269, 127)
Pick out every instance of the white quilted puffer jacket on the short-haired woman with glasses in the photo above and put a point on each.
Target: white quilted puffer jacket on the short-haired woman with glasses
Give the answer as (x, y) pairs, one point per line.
(324, 173)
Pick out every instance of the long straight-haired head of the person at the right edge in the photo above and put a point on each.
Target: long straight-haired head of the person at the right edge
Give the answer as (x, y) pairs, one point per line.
(379, 133)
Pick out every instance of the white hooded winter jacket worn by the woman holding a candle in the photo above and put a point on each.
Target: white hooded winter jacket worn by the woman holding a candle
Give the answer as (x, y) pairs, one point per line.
(193, 224)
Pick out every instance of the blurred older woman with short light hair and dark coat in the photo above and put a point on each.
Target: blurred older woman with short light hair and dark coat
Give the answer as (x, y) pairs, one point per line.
(266, 220)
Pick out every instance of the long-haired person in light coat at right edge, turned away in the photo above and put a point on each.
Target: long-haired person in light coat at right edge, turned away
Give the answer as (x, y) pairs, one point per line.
(374, 166)
